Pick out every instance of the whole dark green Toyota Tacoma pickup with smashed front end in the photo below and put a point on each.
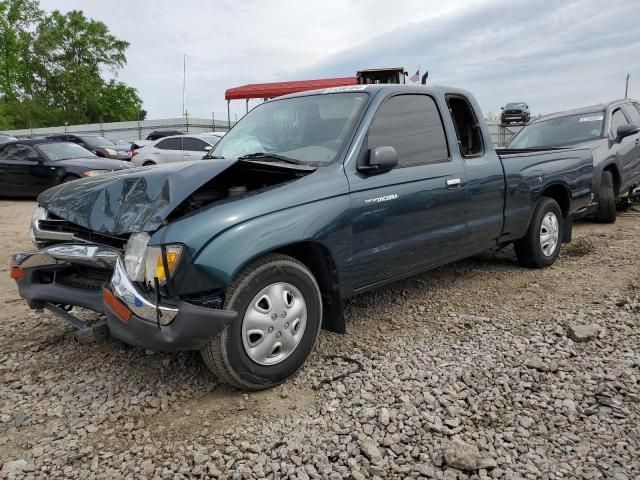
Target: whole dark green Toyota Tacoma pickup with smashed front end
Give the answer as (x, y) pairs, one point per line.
(313, 198)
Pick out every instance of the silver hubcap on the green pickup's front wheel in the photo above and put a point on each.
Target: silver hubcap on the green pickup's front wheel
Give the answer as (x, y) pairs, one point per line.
(274, 323)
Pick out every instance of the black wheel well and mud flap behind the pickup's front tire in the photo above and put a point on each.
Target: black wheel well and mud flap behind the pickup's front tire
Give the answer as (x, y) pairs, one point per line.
(318, 259)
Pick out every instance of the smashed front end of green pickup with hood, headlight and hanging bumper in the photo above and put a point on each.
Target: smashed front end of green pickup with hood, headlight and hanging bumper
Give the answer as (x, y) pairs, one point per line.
(95, 252)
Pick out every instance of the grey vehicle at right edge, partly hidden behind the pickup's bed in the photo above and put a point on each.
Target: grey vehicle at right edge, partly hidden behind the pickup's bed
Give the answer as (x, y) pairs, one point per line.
(612, 132)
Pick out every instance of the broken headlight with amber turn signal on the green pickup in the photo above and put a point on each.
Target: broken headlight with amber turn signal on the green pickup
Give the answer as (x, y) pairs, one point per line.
(145, 263)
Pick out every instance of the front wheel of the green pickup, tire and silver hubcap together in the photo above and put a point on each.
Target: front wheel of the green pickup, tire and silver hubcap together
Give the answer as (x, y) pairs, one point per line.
(229, 354)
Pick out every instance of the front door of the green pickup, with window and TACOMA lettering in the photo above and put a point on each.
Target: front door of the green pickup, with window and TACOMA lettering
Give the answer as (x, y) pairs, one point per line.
(414, 215)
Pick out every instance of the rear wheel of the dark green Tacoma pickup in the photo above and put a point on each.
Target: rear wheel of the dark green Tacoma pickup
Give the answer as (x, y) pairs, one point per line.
(531, 251)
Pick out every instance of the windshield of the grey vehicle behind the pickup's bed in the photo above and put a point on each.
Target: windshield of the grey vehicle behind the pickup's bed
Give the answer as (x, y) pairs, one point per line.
(560, 131)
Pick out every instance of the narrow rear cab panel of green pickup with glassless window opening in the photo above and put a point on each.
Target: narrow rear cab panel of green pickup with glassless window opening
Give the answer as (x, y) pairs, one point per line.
(485, 177)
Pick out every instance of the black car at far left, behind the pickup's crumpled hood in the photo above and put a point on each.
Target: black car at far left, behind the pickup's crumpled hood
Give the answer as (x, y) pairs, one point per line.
(28, 167)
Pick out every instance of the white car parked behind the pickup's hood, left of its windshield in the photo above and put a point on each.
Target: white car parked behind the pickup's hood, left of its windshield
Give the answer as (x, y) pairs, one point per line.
(176, 148)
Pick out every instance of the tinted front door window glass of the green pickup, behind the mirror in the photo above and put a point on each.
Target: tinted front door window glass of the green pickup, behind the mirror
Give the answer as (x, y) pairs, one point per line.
(412, 125)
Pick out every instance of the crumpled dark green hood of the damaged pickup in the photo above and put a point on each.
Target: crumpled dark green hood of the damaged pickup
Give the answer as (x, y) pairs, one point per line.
(131, 200)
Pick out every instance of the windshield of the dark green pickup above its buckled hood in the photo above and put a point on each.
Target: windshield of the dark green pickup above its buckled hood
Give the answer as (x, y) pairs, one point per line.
(310, 129)
